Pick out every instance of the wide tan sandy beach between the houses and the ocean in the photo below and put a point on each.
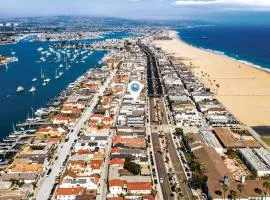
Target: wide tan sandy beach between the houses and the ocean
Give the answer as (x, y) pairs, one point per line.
(244, 90)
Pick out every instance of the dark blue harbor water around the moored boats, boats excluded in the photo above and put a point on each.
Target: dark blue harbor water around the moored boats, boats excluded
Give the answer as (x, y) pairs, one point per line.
(15, 107)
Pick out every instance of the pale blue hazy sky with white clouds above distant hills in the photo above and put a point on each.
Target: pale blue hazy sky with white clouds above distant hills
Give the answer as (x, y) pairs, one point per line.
(239, 10)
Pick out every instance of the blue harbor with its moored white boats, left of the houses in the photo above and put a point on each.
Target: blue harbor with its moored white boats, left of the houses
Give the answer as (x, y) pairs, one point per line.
(30, 72)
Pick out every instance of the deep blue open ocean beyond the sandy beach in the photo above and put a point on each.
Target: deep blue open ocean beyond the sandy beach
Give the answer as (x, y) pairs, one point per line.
(249, 44)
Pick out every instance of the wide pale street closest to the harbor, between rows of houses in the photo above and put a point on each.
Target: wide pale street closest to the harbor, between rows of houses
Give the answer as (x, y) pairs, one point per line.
(48, 182)
